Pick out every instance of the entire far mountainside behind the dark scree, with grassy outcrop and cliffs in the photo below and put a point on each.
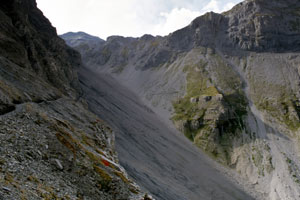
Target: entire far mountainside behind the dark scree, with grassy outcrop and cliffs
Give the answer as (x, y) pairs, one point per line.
(229, 82)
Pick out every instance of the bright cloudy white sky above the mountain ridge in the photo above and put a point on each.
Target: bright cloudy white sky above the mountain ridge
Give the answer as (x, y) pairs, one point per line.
(133, 18)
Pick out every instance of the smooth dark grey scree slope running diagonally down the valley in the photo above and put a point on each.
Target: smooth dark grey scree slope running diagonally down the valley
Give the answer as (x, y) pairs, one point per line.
(159, 158)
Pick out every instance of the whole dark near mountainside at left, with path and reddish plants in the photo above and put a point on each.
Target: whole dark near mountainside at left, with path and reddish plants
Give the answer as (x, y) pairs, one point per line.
(52, 147)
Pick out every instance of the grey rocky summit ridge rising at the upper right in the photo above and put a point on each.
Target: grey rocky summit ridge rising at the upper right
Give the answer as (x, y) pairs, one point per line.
(253, 25)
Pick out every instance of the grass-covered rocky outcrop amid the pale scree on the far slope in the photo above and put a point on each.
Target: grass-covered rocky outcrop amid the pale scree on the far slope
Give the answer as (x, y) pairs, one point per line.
(208, 118)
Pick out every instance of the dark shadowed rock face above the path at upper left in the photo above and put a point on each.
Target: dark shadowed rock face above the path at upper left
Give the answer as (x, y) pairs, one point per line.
(29, 40)
